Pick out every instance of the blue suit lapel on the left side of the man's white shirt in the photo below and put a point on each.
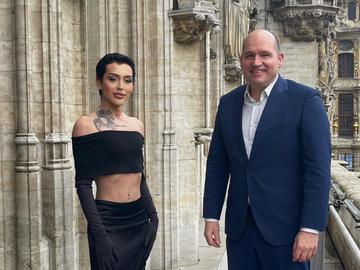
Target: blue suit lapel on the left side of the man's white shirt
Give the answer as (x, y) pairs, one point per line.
(237, 107)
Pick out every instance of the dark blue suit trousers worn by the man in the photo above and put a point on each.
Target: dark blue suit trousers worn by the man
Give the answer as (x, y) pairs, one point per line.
(253, 252)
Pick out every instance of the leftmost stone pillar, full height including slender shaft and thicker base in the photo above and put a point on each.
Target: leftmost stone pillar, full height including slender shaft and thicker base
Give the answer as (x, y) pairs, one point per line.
(27, 171)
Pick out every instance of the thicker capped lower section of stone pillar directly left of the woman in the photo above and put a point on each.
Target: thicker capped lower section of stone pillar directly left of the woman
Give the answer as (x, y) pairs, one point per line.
(58, 189)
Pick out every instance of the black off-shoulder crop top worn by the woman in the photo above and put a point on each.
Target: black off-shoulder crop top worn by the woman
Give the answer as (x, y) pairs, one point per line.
(108, 152)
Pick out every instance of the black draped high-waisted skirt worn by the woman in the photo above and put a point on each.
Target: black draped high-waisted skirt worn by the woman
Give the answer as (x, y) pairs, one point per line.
(129, 227)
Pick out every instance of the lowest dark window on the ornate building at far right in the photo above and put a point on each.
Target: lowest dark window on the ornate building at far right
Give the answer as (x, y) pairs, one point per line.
(346, 115)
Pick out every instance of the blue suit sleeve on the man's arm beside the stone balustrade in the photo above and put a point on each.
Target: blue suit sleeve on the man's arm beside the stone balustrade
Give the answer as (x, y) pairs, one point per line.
(316, 147)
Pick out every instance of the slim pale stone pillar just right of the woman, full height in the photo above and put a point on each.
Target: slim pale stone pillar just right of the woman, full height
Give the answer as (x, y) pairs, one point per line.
(170, 229)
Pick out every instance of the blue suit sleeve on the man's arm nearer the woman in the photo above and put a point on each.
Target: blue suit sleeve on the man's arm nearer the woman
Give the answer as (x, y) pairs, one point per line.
(217, 172)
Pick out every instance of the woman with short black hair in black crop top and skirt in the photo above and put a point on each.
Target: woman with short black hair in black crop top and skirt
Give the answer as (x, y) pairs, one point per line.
(107, 146)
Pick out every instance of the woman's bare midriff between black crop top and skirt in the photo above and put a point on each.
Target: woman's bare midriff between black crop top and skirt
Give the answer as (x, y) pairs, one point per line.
(118, 187)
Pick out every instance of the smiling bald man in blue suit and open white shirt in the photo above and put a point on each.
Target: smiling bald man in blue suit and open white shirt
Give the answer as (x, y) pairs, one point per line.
(271, 143)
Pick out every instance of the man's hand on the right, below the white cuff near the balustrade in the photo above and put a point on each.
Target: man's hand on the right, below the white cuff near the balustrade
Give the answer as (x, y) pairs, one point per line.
(305, 246)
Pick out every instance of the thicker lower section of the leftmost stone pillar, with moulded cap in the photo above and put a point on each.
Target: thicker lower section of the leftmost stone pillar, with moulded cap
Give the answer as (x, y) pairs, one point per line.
(27, 200)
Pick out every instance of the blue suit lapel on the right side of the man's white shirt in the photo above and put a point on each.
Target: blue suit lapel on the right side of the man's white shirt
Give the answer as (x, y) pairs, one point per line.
(275, 101)
